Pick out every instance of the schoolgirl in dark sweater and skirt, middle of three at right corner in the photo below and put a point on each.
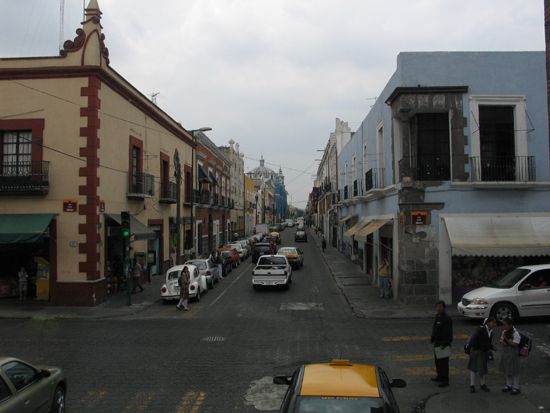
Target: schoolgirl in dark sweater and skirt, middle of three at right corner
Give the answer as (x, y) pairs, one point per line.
(480, 346)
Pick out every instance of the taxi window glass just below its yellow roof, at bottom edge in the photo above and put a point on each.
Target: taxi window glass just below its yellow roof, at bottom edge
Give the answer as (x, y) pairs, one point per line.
(338, 404)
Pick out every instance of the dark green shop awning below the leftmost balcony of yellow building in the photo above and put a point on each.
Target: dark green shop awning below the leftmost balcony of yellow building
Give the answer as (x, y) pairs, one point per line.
(23, 228)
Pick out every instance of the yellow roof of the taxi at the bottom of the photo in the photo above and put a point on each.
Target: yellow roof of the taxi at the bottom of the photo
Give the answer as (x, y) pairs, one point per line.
(340, 378)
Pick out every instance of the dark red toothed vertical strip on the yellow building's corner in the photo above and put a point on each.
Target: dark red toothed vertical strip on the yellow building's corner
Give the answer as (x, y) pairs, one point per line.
(90, 247)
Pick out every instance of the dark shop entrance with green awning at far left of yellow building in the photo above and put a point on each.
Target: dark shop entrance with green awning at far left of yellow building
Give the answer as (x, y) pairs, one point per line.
(27, 241)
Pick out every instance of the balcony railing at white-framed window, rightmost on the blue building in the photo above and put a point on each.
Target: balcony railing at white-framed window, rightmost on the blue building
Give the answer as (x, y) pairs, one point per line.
(503, 168)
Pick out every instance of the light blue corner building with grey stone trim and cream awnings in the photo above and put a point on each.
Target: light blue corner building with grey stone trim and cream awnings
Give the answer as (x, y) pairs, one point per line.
(448, 175)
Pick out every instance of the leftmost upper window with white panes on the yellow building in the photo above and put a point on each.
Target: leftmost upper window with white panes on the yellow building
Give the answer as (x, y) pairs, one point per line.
(15, 147)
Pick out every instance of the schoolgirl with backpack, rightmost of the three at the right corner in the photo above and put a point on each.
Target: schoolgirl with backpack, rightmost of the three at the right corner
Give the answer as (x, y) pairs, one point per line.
(509, 362)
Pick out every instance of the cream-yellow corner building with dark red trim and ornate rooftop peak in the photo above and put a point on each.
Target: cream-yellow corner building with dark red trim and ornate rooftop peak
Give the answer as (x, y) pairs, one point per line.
(78, 145)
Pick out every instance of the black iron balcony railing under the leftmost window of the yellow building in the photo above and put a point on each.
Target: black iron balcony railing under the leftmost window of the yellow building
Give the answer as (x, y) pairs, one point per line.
(24, 177)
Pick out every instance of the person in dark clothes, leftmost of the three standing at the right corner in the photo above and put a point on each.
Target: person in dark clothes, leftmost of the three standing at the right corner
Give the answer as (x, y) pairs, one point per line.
(441, 339)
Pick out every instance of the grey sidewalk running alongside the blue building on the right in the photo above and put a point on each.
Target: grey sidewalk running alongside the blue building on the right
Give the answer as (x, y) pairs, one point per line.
(362, 296)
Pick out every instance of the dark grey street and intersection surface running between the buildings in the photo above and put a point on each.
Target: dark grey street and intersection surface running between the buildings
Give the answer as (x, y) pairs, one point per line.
(220, 356)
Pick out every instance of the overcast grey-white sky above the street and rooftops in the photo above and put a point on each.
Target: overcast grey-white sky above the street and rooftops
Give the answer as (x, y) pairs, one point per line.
(272, 74)
